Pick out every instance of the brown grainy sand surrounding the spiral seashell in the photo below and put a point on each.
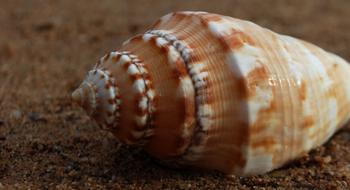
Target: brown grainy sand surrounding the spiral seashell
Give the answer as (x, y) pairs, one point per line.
(46, 47)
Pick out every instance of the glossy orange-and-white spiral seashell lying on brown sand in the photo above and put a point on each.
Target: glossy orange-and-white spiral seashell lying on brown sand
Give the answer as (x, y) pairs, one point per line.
(214, 92)
